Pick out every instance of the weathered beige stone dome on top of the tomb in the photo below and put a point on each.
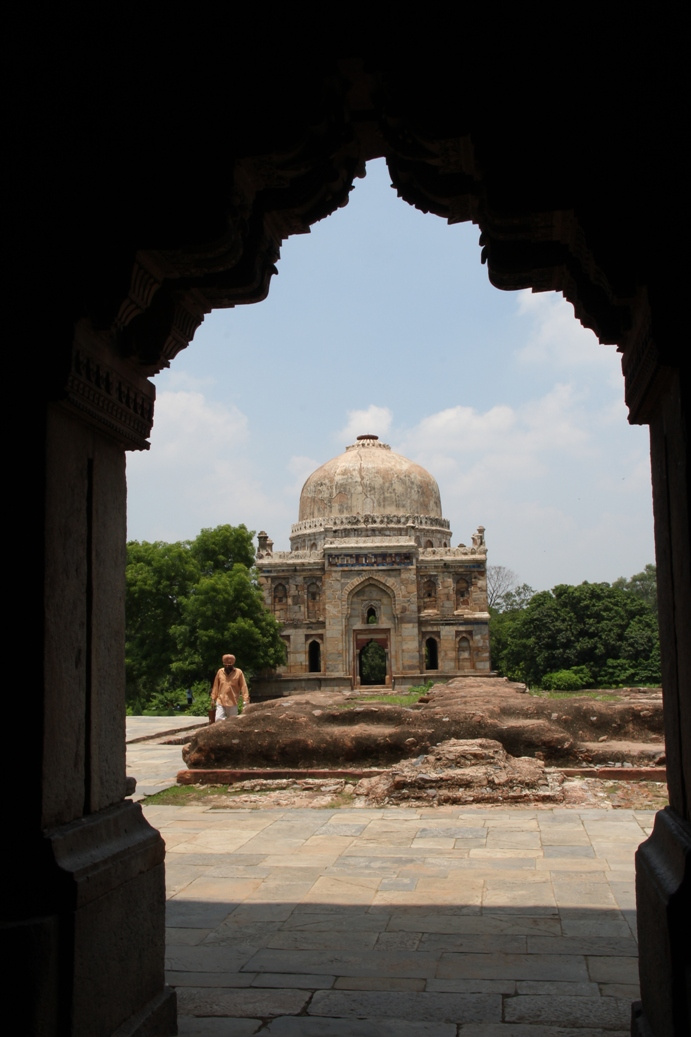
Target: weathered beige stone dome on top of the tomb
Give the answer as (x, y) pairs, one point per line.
(370, 480)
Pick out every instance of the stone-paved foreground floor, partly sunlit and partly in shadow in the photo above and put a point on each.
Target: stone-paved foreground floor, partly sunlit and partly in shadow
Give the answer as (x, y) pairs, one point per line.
(391, 932)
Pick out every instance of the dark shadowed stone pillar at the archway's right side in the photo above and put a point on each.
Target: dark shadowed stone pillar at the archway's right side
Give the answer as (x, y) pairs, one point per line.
(664, 862)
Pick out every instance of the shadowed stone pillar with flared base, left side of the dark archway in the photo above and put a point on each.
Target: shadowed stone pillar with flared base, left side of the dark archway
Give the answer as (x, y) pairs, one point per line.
(86, 940)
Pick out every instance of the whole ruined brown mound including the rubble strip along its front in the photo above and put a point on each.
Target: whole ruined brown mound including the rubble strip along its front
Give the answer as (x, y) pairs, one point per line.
(474, 741)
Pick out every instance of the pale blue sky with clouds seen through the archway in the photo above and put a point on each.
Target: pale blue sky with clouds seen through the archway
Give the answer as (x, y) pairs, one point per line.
(383, 321)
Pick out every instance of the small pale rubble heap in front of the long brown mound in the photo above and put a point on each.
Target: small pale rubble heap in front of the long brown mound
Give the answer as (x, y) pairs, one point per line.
(464, 771)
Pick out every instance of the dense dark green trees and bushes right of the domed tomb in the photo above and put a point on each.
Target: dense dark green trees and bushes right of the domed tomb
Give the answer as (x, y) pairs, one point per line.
(592, 635)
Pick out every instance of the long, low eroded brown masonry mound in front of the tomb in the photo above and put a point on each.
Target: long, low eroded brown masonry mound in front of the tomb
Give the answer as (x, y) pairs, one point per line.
(348, 730)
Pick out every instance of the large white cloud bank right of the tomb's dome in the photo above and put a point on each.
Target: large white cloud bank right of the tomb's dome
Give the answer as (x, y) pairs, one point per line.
(554, 481)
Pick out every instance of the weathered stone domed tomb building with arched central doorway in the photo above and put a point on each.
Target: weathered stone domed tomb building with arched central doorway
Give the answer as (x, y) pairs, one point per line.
(372, 591)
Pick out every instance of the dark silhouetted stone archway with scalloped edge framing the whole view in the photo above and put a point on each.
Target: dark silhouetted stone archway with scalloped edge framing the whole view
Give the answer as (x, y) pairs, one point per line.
(147, 246)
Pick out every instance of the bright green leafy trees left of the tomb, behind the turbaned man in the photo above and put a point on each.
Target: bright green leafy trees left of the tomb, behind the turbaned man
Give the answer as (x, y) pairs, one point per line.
(187, 604)
